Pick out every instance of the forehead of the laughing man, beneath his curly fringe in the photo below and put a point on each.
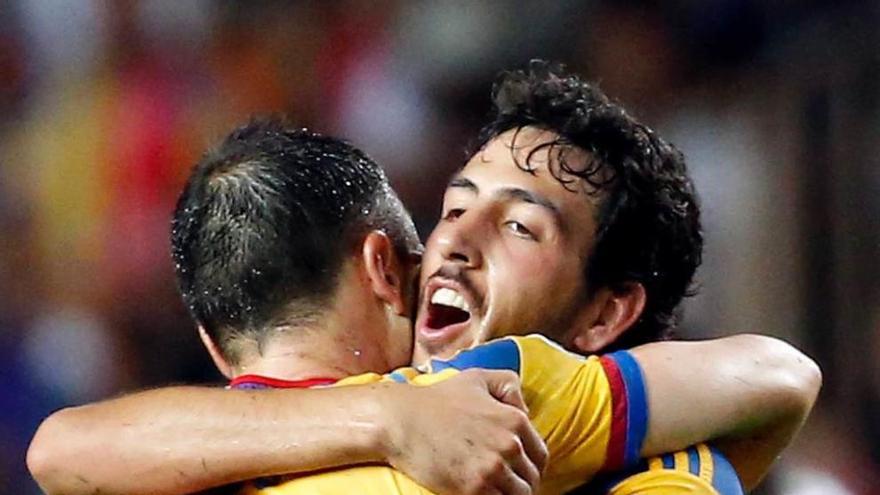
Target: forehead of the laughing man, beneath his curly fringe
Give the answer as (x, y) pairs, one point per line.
(524, 159)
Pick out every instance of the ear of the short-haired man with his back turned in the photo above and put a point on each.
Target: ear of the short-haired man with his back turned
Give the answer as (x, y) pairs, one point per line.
(385, 270)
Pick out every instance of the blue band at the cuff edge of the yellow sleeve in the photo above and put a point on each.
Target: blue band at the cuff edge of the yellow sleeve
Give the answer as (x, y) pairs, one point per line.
(637, 409)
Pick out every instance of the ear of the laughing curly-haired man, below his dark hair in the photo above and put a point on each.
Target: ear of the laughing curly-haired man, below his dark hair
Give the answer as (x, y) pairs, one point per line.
(611, 312)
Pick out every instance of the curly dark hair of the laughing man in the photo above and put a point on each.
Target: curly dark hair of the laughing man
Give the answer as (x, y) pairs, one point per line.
(648, 219)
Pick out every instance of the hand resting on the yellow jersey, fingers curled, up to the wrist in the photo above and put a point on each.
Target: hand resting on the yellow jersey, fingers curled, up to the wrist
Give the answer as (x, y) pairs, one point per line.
(466, 435)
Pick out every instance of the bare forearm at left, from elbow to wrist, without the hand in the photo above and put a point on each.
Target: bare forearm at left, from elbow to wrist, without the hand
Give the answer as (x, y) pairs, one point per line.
(185, 439)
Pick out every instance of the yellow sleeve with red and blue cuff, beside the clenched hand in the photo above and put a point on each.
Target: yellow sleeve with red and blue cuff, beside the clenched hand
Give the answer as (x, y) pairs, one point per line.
(591, 412)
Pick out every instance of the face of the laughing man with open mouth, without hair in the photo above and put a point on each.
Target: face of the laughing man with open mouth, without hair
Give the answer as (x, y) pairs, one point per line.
(504, 228)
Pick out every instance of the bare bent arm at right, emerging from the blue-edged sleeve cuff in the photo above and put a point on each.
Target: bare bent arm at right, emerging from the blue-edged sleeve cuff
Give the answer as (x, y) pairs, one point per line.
(750, 394)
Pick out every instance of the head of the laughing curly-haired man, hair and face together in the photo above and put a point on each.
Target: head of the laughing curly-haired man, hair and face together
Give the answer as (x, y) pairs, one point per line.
(617, 201)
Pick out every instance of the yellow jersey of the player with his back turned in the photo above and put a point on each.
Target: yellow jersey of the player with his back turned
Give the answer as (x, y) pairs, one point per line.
(591, 412)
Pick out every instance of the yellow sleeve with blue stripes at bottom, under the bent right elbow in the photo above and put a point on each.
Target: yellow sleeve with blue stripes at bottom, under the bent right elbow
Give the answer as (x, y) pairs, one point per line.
(697, 470)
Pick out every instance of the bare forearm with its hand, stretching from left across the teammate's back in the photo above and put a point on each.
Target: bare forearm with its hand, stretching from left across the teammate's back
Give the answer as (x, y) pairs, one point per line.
(185, 439)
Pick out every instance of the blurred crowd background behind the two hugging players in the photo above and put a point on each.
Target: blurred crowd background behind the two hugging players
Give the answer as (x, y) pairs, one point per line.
(105, 105)
